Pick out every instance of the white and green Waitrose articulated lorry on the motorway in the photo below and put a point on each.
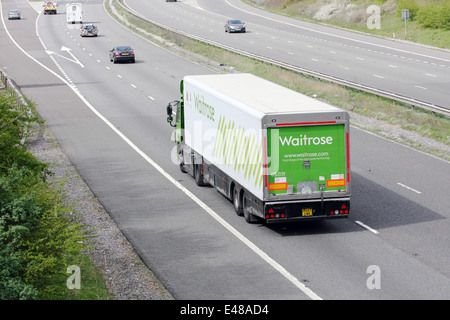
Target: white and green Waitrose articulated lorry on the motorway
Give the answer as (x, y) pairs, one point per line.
(278, 155)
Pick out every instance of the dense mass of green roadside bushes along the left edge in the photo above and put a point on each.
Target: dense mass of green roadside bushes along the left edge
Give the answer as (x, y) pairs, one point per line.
(37, 240)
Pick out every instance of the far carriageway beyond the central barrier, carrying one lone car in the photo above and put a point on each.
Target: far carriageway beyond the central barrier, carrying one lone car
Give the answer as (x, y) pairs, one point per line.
(407, 70)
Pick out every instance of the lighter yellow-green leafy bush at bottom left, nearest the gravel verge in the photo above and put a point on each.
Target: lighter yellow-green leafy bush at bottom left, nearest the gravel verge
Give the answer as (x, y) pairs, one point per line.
(54, 243)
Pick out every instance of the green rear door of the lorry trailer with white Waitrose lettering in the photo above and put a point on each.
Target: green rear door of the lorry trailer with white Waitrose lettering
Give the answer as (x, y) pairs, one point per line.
(307, 160)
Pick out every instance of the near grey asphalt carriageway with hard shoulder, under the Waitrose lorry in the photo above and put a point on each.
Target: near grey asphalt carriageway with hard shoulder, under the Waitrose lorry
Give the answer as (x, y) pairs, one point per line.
(110, 120)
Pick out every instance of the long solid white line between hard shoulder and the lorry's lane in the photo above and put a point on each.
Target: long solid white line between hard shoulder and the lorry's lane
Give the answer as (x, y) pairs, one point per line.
(211, 212)
